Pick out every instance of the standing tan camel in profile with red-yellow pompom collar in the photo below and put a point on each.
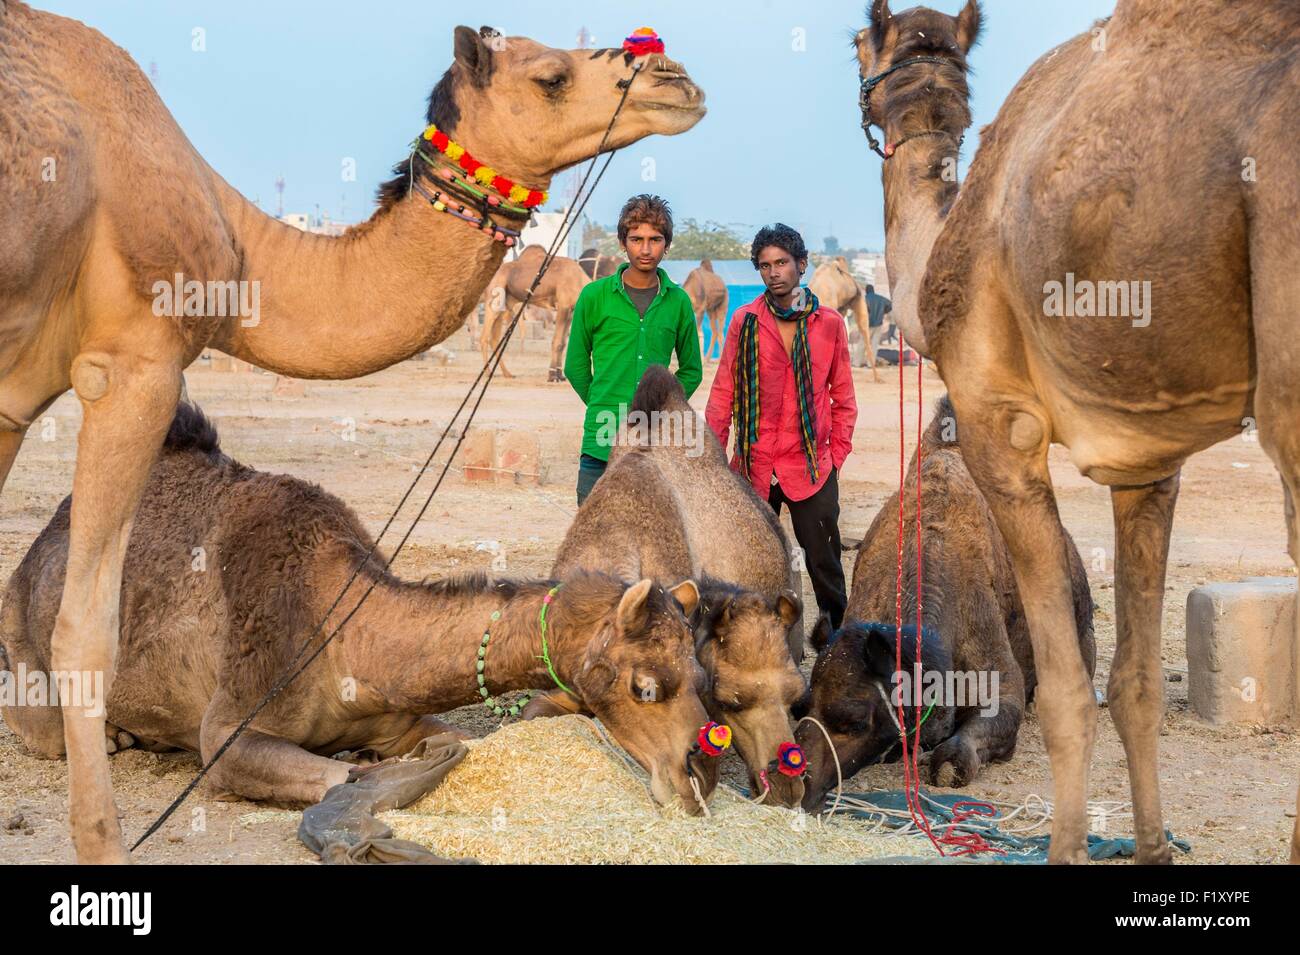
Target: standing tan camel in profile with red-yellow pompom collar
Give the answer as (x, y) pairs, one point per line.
(106, 202)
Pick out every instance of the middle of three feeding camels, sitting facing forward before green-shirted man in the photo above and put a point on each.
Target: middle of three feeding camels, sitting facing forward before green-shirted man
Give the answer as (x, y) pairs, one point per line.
(656, 513)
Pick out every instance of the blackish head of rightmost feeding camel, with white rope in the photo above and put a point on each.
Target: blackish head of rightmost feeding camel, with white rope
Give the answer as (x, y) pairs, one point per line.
(851, 693)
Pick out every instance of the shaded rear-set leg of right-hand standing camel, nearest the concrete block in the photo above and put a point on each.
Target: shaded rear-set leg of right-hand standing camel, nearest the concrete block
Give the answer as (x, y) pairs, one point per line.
(1137, 693)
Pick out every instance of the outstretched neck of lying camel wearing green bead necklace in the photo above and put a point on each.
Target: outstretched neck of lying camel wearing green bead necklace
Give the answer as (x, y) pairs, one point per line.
(417, 648)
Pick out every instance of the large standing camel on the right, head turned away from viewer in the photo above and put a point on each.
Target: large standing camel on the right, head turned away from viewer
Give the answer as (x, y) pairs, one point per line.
(1121, 158)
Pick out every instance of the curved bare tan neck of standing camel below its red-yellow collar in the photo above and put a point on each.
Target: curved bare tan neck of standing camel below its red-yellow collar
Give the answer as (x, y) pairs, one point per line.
(341, 307)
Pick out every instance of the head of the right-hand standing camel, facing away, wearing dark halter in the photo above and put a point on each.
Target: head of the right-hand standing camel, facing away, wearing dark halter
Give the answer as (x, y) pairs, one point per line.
(924, 95)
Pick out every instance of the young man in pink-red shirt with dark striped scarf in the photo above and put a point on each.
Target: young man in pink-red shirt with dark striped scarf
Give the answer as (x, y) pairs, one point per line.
(785, 384)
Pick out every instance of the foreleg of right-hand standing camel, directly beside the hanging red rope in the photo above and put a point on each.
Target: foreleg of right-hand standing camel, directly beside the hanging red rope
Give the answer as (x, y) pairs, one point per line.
(1006, 446)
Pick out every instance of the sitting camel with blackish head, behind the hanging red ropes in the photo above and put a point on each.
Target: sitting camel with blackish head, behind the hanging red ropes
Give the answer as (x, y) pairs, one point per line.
(973, 627)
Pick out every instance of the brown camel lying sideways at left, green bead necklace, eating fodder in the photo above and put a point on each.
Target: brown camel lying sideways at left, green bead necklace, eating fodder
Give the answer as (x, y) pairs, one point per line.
(228, 574)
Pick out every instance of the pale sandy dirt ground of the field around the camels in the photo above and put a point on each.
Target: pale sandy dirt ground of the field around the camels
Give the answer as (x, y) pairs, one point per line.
(1230, 792)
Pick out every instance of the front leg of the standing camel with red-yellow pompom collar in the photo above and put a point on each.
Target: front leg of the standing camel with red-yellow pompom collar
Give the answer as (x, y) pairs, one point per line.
(128, 401)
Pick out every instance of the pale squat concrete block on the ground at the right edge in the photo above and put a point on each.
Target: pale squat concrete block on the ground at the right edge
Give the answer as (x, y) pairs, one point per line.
(1241, 650)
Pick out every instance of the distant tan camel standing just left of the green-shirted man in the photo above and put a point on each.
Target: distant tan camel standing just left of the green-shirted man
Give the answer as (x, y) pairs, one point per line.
(558, 293)
